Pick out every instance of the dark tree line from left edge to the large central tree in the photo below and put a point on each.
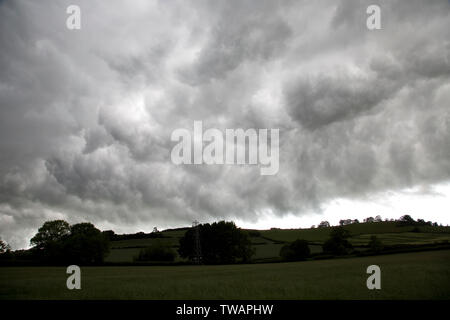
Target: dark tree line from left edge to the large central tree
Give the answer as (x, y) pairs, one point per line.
(58, 242)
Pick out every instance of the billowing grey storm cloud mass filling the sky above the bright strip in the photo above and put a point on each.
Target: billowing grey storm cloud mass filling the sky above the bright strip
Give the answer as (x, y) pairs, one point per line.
(86, 115)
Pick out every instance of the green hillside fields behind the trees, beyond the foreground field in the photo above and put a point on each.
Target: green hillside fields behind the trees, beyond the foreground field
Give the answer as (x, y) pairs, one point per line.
(269, 242)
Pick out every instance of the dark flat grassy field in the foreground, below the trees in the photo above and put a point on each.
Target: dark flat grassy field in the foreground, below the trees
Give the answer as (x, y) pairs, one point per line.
(420, 275)
